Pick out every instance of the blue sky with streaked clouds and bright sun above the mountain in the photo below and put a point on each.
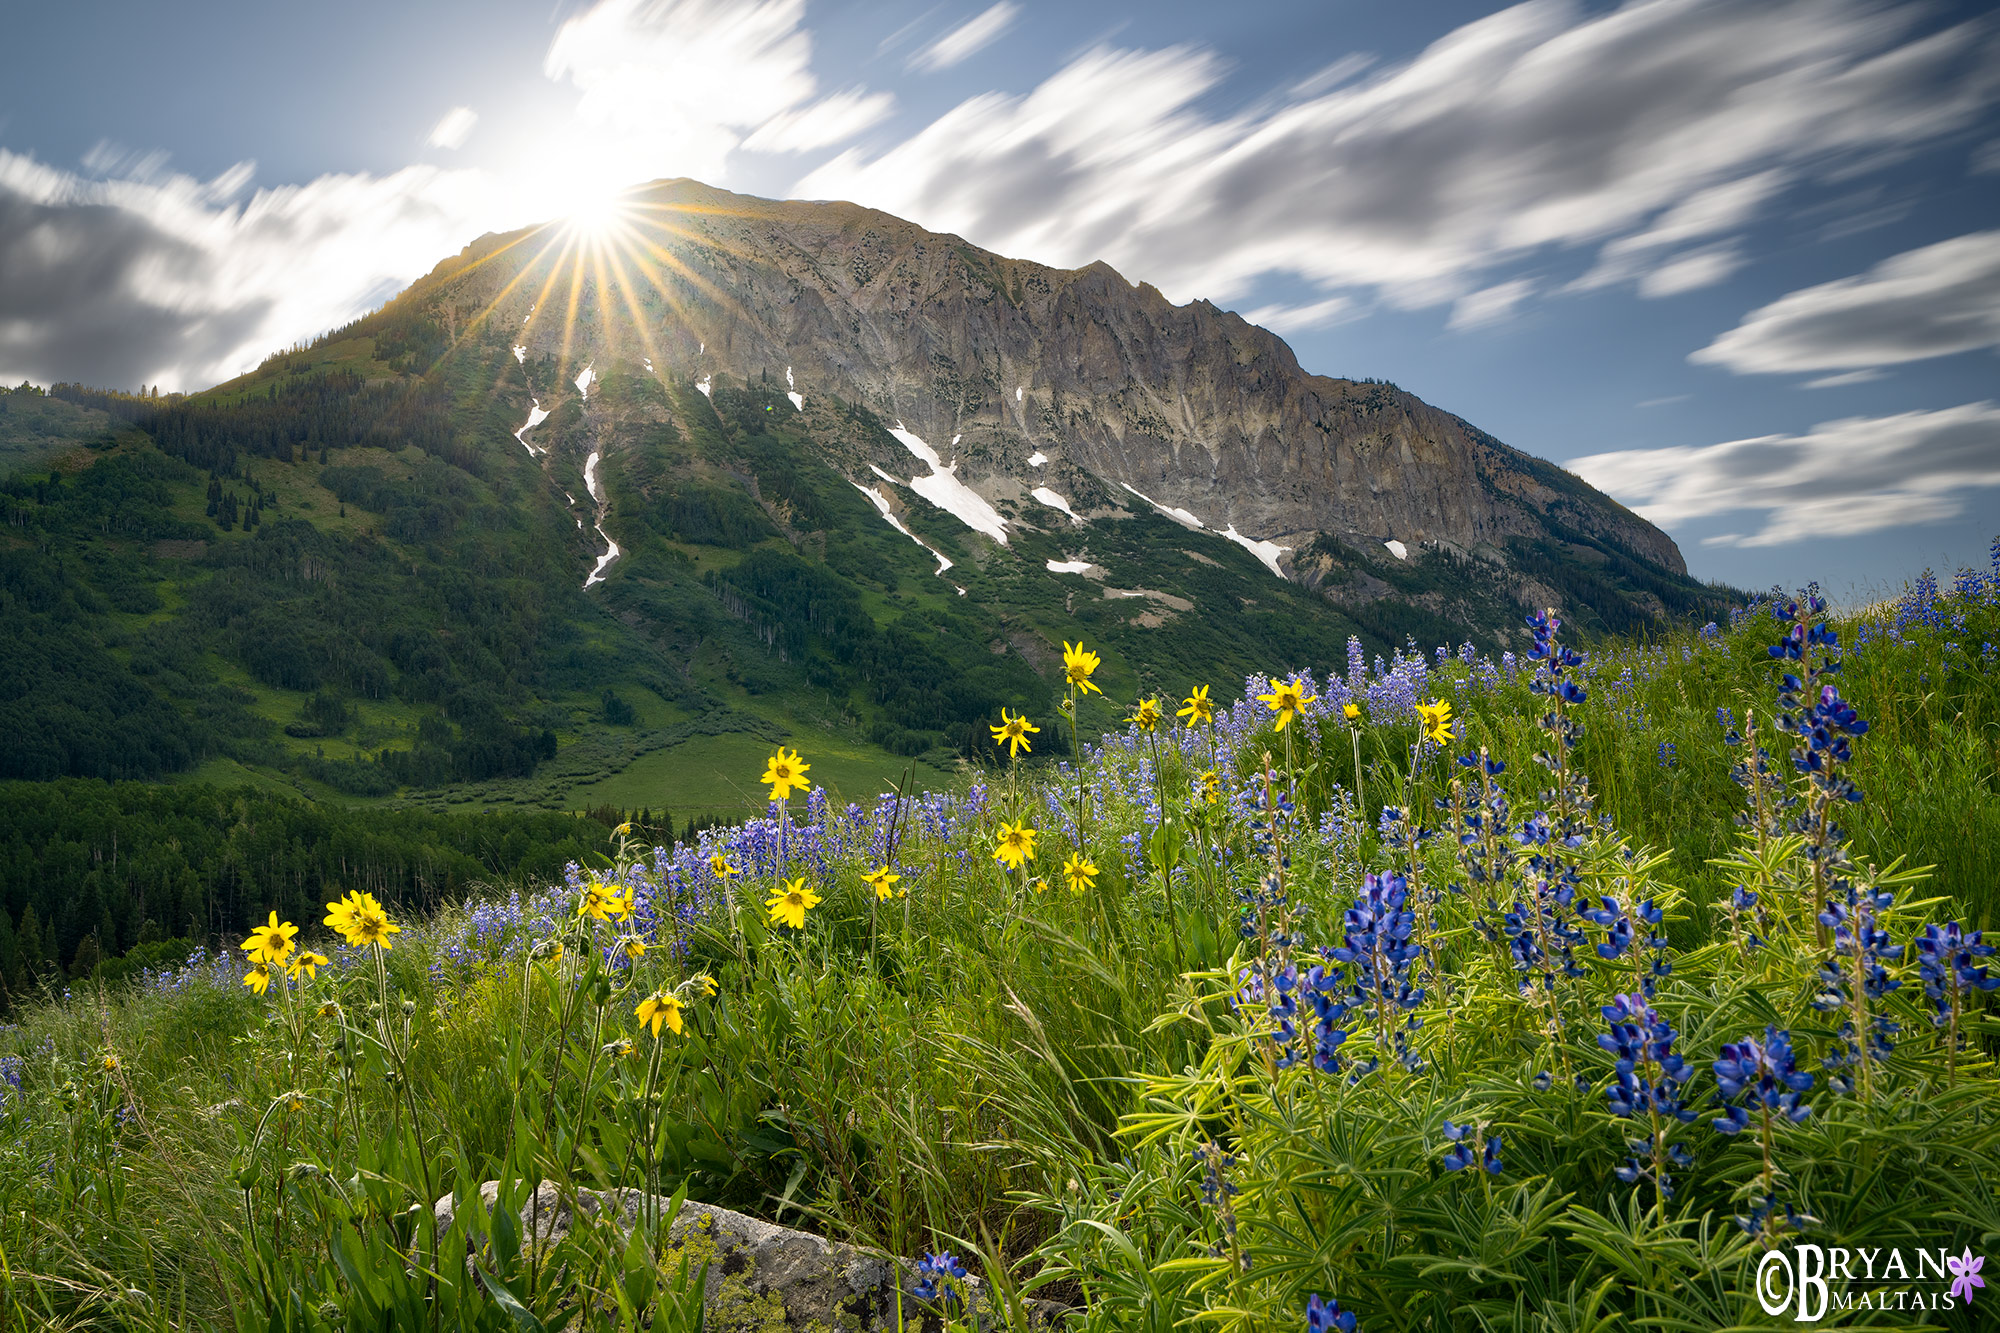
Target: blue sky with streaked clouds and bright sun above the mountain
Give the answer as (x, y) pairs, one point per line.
(1735, 263)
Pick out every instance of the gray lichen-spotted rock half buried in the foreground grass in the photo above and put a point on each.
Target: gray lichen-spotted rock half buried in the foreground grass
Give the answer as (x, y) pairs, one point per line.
(761, 1278)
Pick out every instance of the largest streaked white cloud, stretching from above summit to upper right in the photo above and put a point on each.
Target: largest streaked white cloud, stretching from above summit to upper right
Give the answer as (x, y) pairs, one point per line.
(1539, 127)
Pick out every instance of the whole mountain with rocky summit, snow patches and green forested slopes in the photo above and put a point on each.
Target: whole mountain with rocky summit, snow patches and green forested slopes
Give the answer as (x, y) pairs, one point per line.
(601, 515)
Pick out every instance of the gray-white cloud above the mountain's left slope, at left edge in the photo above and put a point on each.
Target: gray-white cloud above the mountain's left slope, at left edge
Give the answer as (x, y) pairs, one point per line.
(167, 281)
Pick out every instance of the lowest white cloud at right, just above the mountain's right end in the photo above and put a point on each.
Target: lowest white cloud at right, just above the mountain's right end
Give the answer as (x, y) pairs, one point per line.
(1841, 479)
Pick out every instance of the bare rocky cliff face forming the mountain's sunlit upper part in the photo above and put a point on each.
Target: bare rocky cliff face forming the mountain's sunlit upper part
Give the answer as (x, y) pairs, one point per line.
(1029, 379)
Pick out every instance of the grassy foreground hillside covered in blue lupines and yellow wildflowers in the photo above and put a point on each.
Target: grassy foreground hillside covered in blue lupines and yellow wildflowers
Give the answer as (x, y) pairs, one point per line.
(1441, 1020)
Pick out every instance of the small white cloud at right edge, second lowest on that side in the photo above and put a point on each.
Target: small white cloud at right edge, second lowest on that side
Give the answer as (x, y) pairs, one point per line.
(1923, 303)
